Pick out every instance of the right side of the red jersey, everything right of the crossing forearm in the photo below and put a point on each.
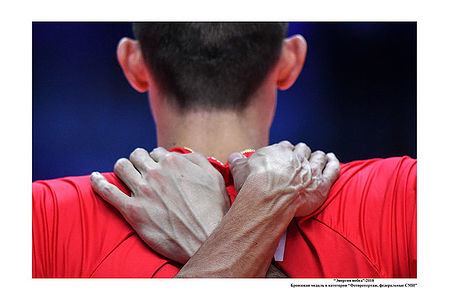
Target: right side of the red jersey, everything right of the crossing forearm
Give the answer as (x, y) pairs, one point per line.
(366, 228)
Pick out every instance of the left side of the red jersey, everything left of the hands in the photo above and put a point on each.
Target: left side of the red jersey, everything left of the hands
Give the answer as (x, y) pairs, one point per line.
(77, 234)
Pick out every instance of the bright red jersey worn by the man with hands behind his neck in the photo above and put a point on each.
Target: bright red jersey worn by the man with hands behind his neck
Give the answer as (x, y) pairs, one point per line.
(366, 228)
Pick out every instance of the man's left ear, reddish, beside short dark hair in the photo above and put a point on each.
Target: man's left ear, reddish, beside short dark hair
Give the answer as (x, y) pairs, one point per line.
(131, 60)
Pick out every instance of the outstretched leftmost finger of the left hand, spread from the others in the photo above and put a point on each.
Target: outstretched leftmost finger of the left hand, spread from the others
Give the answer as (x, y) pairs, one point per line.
(109, 192)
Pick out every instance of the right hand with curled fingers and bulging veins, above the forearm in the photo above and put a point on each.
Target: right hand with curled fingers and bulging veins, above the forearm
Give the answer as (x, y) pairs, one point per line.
(305, 177)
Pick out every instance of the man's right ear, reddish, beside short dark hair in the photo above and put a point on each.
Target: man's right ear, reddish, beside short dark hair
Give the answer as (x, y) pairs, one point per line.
(291, 61)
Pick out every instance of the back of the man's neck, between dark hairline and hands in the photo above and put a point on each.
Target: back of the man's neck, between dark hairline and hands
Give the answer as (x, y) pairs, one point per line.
(216, 133)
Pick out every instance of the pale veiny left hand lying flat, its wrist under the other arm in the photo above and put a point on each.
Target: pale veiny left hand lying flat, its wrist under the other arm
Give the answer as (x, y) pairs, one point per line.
(176, 200)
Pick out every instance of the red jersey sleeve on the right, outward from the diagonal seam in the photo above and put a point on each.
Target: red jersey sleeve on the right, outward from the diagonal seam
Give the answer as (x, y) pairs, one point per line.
(373, 205)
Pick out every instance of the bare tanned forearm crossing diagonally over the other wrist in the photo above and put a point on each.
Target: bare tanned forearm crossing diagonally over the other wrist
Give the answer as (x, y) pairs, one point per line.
(244, 243)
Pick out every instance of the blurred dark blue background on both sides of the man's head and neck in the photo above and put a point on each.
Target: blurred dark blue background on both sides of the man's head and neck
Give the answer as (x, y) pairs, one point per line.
(356, 95)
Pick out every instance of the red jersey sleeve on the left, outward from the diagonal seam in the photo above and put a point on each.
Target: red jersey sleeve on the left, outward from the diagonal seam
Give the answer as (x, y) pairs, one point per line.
(73, 229)
